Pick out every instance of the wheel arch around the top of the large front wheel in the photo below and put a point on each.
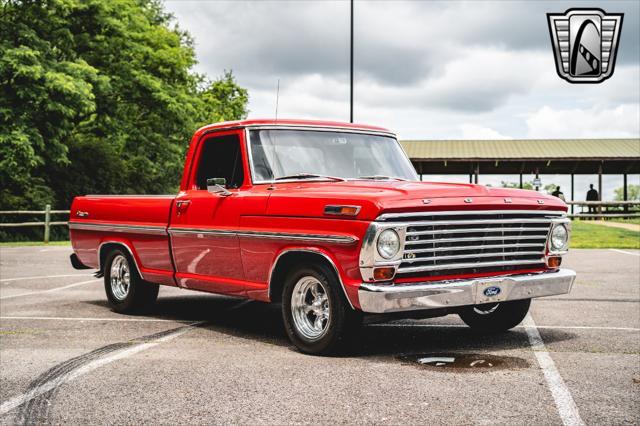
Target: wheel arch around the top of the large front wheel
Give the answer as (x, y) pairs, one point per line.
(292, 256)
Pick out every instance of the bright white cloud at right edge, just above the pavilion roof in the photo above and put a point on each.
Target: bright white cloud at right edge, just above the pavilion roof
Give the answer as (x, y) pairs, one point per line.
(597, 122)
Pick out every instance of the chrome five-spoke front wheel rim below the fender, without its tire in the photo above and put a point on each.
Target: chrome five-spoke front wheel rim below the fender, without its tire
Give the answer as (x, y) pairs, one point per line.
(310, 308)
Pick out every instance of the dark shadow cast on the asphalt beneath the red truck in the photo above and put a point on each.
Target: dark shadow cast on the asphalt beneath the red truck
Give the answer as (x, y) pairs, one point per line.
(262, 322)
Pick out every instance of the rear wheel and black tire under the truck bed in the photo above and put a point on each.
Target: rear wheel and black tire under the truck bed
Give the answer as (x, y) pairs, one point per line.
(126, 291)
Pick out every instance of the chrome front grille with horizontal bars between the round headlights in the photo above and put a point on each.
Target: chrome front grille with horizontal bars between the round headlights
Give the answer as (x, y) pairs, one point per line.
(458, 242)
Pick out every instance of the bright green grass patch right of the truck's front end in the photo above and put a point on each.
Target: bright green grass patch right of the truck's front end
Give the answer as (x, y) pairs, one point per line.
(590, 235)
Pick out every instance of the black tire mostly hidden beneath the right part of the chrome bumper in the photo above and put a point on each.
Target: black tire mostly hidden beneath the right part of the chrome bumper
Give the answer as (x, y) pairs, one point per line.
(495, 317)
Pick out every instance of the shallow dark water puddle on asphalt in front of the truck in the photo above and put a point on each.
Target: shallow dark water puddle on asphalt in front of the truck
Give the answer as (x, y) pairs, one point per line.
(464, 362)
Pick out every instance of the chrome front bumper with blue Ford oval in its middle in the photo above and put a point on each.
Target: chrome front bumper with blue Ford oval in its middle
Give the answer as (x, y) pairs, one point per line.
(382, 298)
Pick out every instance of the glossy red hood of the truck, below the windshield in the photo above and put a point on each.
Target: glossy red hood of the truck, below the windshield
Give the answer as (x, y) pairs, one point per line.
(308, 199)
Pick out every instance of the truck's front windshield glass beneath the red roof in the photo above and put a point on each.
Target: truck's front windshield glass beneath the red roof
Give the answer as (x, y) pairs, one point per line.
(304, 154)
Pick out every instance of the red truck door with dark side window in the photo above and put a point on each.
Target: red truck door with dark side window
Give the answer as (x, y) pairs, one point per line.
(204, 225)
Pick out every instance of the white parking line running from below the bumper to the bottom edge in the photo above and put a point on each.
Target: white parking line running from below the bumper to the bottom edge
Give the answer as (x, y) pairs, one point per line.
(561, 395)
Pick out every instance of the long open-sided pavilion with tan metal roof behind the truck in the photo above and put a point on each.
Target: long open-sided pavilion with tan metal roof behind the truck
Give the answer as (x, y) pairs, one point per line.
(527, 156)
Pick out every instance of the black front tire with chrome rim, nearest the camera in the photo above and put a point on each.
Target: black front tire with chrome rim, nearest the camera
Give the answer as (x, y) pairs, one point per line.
(317, 318)
